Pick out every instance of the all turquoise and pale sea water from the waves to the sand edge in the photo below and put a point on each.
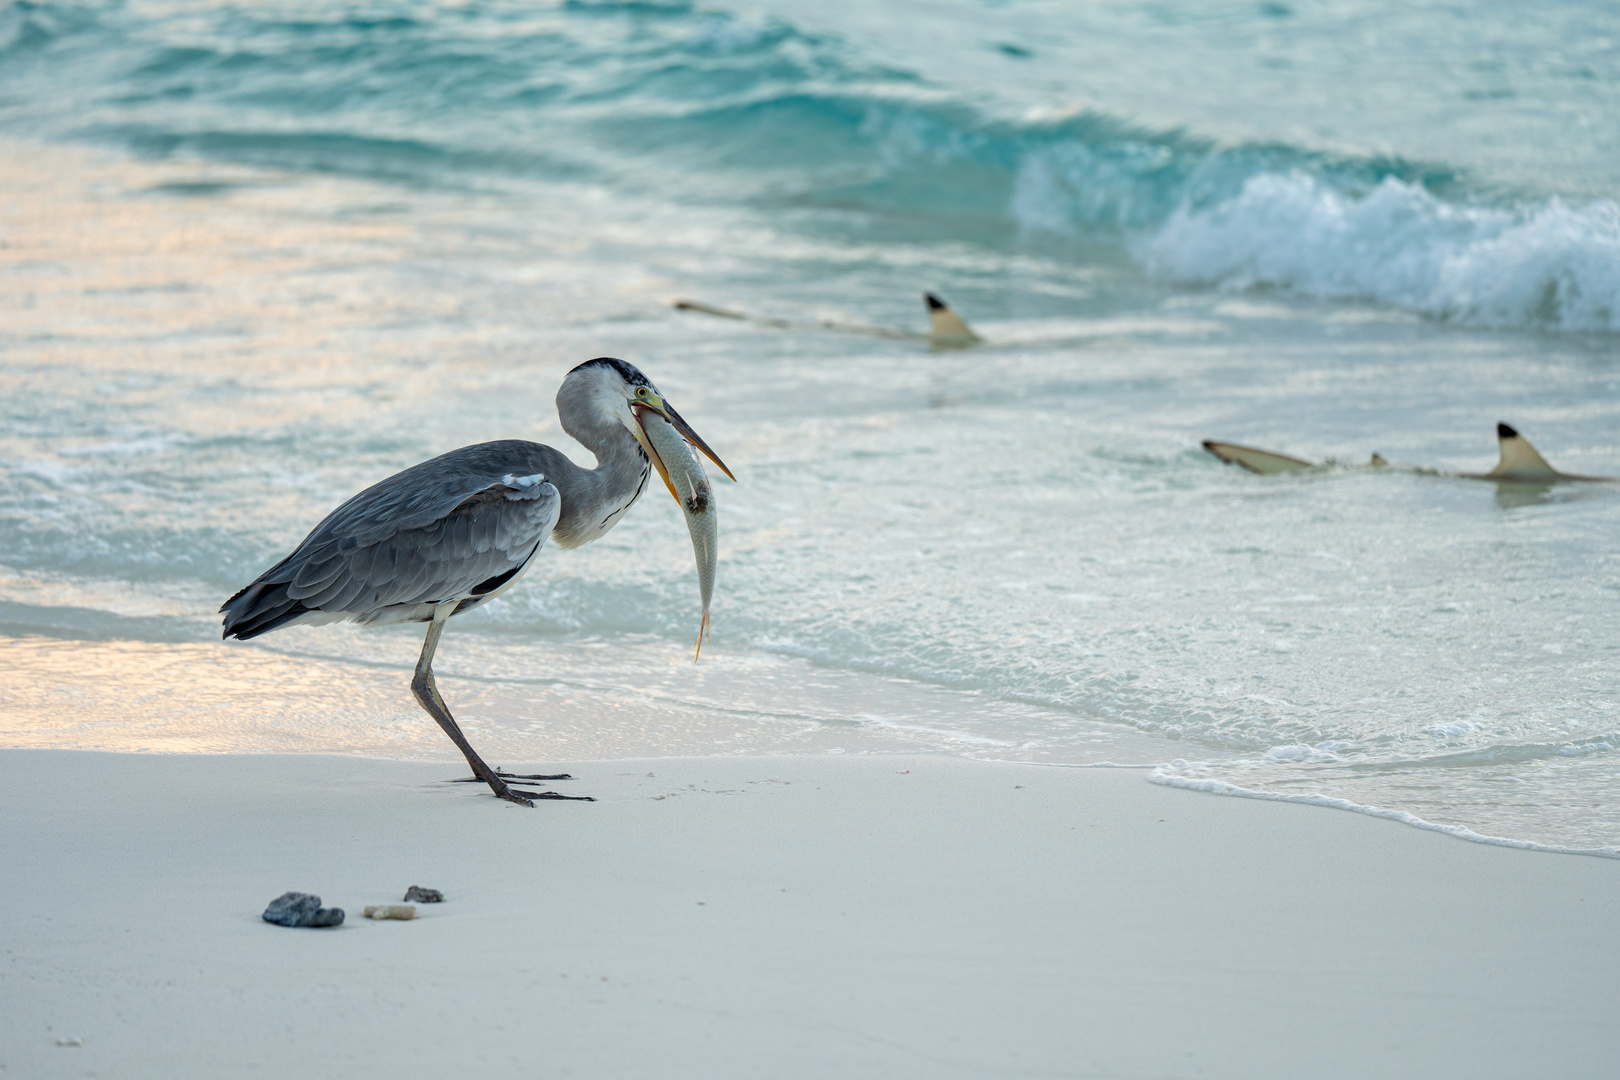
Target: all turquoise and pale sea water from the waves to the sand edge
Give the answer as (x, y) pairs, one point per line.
(262, 257)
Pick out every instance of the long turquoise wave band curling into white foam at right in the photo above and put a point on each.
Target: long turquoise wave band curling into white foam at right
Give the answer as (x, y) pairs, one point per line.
(706, 104)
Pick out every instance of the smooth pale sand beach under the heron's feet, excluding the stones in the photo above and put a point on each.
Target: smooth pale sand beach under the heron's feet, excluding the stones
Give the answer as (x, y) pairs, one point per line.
(775, 917)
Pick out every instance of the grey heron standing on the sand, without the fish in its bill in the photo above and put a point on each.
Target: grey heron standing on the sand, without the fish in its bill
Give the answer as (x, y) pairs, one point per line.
(453, 534)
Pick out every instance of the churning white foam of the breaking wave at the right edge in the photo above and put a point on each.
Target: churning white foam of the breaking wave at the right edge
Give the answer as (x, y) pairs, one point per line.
(1548, 266)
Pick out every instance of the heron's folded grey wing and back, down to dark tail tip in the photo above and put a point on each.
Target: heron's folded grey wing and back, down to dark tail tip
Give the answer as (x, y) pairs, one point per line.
(450, 529)
